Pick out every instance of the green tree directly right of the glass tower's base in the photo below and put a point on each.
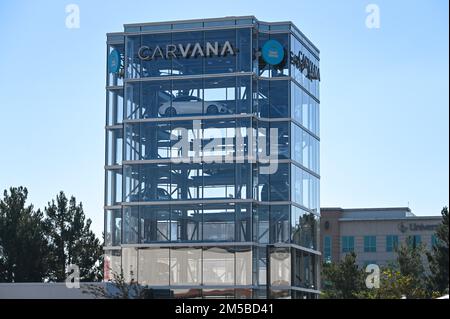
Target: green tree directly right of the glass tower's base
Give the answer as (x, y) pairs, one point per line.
(343, 280)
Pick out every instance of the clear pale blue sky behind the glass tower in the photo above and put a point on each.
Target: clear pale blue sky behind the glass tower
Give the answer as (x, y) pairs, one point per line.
(384, 95)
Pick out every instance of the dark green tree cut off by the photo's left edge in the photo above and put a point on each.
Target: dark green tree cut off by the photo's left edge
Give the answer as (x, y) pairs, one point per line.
(24, 248)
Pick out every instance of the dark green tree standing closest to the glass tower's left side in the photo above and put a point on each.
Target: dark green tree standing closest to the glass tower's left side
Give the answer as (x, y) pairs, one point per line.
(71, 240)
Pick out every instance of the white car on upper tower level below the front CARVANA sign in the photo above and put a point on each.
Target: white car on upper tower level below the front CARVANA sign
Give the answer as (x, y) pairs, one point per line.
(188, 104)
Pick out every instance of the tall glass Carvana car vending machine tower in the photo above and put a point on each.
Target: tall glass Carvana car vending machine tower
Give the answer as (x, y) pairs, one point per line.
(230, 222)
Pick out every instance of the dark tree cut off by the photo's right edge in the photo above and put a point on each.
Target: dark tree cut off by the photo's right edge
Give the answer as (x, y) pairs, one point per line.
(438, 258)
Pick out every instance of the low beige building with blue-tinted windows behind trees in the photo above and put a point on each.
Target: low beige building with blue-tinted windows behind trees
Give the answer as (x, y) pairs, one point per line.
(373, 233)
